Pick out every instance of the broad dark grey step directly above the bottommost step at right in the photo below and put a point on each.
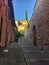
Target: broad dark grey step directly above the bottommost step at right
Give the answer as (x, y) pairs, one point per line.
(36, 55)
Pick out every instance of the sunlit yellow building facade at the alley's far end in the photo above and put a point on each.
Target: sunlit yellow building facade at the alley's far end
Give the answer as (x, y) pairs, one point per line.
(21, 25)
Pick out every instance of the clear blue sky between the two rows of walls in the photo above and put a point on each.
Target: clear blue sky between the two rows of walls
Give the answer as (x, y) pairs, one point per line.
(20, 6)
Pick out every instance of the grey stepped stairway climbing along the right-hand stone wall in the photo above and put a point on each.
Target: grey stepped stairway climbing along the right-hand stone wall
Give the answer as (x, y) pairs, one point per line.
(32, 54)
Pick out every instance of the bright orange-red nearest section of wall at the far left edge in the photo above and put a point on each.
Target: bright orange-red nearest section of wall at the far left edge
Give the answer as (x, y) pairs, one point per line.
(2, 23)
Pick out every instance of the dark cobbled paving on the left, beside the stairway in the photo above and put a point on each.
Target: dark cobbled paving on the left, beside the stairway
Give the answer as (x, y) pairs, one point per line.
(12, 57)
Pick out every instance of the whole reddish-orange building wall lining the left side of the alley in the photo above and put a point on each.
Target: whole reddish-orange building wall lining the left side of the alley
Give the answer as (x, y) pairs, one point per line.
(7, 31)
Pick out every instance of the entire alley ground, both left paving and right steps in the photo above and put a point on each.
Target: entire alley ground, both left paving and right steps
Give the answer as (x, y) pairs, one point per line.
(23, 53)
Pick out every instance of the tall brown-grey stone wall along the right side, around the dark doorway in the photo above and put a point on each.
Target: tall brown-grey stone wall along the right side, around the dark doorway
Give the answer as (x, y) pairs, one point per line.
(40, 19)
